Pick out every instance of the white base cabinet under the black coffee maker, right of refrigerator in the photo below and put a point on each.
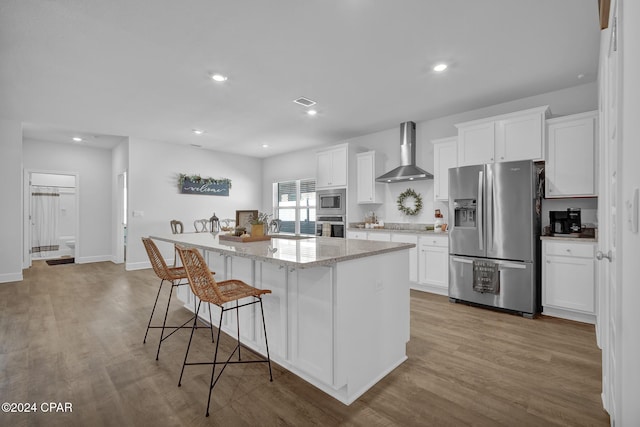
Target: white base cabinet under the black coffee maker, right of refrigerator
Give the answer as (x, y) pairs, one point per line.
(568, 280)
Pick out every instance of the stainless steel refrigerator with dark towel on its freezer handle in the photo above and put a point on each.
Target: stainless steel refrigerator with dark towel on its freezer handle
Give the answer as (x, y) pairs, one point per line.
(494, 235)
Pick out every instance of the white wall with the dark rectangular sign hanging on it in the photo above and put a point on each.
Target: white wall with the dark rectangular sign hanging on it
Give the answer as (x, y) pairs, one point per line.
(153, 189)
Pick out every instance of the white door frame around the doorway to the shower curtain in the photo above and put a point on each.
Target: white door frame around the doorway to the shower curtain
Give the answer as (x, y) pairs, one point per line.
(26, 210)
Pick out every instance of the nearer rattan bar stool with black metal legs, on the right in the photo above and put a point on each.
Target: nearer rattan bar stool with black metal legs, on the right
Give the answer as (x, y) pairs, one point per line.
(209, 291)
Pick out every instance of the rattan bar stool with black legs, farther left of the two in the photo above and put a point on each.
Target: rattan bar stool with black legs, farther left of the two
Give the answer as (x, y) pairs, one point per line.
(178, 277)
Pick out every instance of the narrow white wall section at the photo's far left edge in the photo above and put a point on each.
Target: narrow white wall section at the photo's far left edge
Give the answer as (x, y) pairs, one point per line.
(11, 211)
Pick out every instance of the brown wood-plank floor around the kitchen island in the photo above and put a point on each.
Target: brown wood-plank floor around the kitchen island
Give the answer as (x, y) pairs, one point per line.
(73, 333)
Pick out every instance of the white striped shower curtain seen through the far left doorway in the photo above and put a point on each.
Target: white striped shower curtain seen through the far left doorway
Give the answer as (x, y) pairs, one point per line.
(44, 221)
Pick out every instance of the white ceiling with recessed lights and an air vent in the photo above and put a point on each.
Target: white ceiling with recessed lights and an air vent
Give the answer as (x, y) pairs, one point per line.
(142, 68)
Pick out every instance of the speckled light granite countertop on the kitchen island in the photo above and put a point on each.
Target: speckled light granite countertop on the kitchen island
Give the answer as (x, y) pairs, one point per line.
(289, 250)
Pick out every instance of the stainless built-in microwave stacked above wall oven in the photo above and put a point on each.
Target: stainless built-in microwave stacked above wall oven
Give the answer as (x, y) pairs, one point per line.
(331, 209)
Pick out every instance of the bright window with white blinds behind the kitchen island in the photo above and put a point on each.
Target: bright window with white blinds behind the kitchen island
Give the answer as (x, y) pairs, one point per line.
(296, 206)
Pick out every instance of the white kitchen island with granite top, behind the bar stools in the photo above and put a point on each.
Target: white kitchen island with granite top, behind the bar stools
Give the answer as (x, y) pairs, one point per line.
(338, 314)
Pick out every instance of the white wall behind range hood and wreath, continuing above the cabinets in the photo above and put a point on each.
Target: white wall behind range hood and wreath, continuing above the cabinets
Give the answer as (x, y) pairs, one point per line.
(387, 145)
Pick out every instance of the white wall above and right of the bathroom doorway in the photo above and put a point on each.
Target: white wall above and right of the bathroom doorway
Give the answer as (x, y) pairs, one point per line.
(93, 166)
